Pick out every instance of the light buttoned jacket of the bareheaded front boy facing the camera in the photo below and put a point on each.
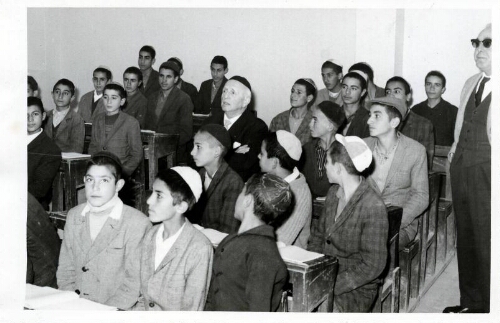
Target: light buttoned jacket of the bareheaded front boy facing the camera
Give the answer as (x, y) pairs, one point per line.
(106, 270)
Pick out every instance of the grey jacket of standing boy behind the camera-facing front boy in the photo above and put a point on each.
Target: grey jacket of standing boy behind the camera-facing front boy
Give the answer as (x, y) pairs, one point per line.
(124, 140)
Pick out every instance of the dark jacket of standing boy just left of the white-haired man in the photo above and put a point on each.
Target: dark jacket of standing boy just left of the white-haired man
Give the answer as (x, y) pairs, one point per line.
(176, 117)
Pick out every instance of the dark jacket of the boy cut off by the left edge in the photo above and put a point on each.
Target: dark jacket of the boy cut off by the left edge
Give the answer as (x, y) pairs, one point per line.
(44, 159)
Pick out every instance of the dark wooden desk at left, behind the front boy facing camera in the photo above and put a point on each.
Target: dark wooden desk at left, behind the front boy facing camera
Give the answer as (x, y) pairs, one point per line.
(67, 182)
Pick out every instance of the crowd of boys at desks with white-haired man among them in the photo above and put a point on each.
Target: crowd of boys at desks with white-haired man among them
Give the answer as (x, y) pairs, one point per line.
(253, 182)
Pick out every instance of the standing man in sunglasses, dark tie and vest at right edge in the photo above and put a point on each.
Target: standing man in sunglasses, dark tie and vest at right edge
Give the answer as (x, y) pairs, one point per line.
(470, 172)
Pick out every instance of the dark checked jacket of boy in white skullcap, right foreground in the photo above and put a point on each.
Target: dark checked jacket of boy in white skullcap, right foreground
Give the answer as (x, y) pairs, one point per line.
(358, 238)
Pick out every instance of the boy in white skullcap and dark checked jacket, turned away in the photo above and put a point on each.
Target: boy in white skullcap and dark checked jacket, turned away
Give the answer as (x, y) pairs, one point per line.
(353, 226)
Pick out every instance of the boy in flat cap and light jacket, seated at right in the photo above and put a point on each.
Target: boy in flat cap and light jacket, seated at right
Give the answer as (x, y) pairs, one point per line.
(400, 172)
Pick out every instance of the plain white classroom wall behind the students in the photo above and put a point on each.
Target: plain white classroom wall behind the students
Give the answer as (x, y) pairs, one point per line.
(271, 47)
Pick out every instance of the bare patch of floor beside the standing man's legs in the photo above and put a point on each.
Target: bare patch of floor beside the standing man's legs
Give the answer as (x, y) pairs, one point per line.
(444, 292)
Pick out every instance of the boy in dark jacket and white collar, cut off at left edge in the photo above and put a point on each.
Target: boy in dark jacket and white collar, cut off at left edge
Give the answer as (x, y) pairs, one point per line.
(44, 157)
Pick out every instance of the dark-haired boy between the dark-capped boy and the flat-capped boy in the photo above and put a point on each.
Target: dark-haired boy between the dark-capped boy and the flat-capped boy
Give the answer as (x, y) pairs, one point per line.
(353, 93)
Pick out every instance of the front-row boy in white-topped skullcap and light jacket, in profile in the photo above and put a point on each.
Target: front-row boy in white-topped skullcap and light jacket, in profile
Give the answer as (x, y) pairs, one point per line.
(176, 258)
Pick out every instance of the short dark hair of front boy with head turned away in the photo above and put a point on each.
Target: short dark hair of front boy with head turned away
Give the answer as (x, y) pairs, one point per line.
(272, 197)
